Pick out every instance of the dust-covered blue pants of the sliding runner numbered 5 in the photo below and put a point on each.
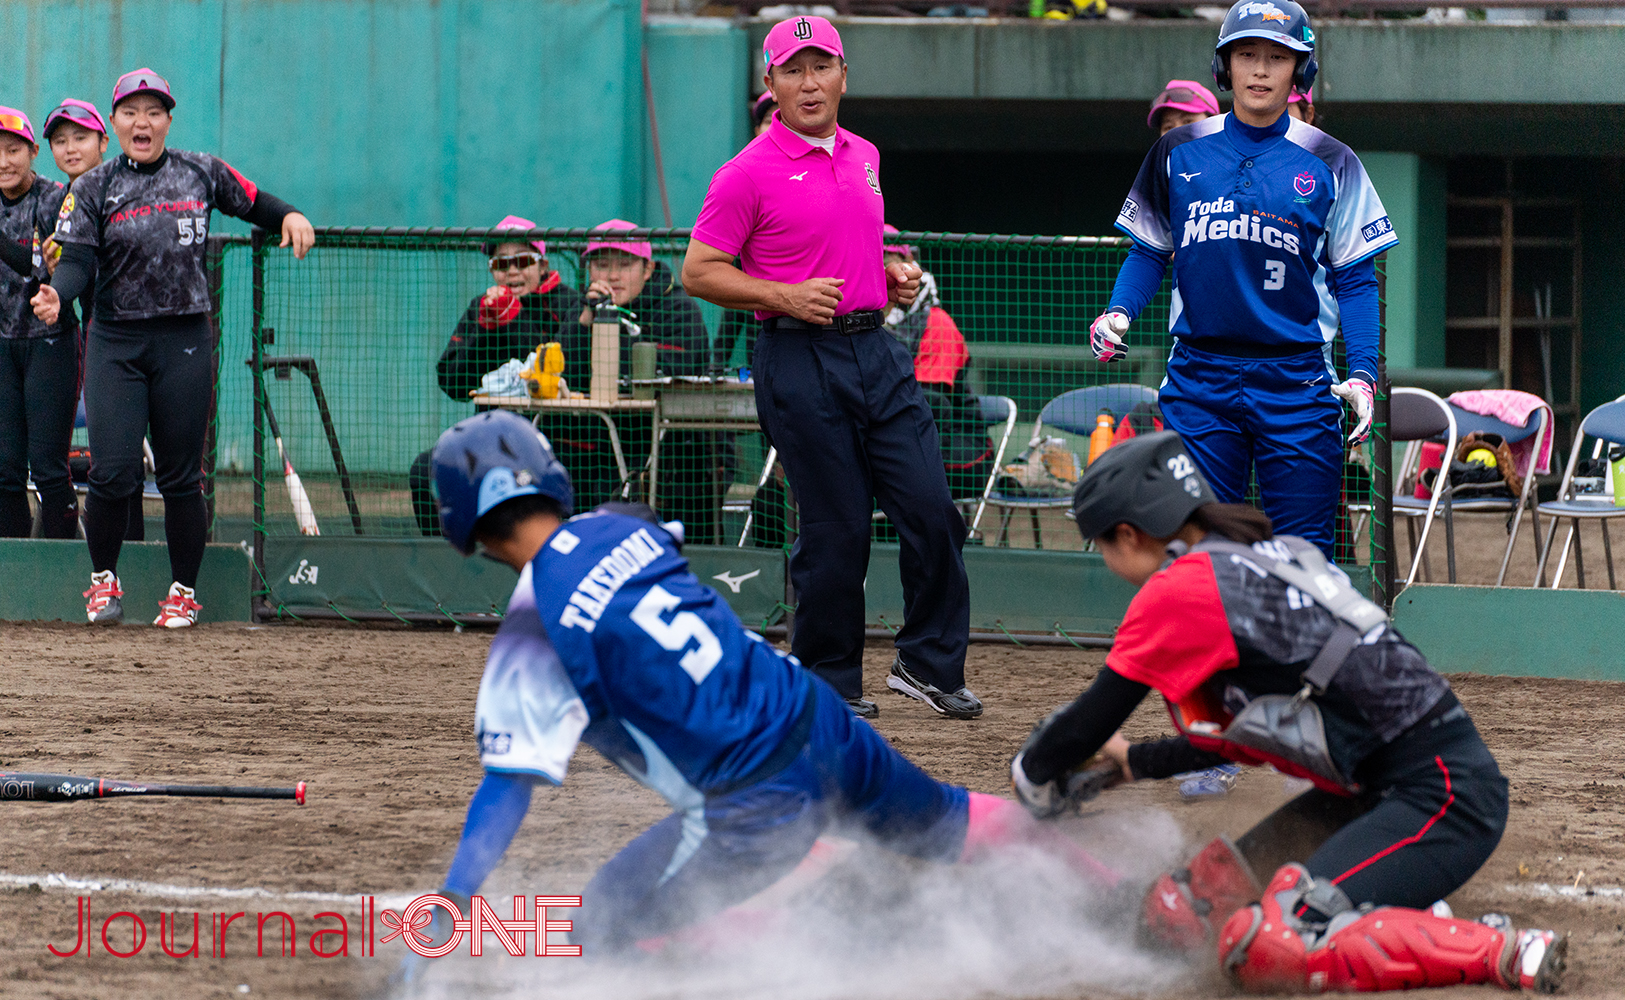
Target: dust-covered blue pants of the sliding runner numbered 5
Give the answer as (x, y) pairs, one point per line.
(847, 776)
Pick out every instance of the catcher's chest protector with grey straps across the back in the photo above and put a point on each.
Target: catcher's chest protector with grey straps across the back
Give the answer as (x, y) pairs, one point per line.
(1275, 729)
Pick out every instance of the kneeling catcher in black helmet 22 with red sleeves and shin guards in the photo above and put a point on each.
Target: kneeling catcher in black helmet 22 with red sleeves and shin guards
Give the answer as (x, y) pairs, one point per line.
(1267, 656)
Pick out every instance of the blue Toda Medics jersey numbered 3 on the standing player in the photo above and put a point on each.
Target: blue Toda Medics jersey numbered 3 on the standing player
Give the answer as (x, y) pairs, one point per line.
(1259, 224)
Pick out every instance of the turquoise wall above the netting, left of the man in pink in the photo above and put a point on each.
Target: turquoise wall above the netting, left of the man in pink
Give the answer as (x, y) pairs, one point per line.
(425, 113)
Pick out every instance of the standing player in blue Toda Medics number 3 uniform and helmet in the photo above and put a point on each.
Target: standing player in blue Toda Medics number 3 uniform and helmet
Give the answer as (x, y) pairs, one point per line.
(1273, 228)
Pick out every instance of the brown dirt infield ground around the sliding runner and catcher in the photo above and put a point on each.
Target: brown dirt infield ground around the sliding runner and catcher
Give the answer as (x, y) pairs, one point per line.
(379, 724)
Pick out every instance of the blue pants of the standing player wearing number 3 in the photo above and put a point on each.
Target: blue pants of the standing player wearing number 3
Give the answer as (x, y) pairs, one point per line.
(1273, 415)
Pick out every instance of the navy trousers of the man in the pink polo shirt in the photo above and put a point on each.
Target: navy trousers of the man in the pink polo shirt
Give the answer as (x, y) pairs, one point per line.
(852, 428)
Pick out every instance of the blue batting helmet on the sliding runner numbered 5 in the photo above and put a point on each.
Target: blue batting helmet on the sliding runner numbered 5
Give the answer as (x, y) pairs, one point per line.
(488, 459)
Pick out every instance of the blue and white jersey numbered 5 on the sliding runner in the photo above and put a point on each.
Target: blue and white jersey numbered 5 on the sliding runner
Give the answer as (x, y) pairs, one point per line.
(613, 641)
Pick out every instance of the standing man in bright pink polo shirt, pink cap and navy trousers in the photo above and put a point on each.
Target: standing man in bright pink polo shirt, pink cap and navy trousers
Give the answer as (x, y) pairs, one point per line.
(802, 211)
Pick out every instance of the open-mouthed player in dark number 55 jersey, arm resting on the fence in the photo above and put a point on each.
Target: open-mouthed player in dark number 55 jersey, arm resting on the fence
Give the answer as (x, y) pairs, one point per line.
(137, 225)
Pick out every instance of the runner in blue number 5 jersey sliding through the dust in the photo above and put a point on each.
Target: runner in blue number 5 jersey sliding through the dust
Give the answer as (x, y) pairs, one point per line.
(613, 643)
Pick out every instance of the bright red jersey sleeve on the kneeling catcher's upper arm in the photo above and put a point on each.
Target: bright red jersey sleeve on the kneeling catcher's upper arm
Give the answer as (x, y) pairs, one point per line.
(1176, 633)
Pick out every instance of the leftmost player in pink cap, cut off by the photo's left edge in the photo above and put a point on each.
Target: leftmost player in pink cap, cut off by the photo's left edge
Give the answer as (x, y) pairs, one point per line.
(40, 360)
